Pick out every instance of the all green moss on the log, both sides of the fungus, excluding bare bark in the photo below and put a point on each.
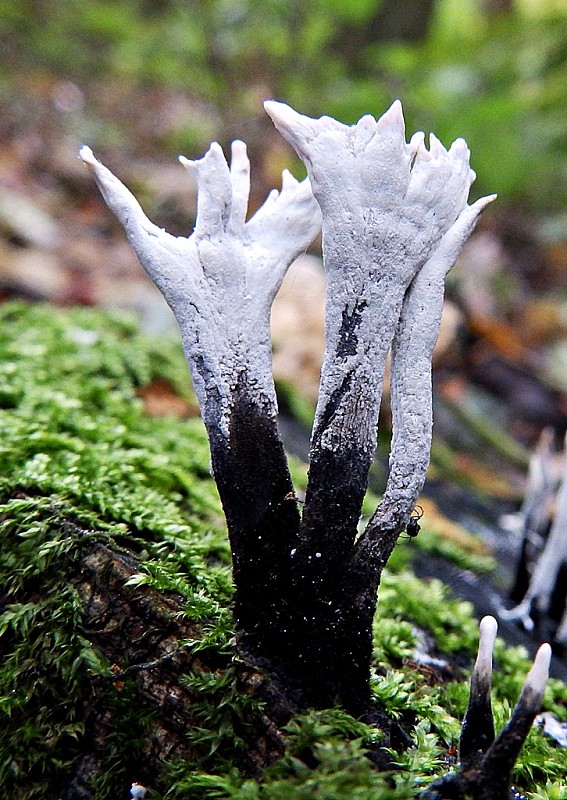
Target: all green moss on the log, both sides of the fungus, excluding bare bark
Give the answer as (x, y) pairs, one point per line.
(81, 461)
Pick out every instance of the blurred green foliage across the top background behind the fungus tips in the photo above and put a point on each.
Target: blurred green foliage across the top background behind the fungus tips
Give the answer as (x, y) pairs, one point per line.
(494, 73)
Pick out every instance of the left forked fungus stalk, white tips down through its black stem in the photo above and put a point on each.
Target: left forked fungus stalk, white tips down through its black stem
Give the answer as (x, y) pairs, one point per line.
(220, 283)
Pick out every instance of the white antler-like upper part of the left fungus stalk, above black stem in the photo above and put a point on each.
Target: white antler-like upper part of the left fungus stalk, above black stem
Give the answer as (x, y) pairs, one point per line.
(221, 281)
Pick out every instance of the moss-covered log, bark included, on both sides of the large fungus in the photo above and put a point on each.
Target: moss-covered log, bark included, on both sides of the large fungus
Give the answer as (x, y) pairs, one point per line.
(119, 662)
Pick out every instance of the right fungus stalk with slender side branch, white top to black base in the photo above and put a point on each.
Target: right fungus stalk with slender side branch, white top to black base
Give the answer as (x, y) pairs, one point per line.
(395, 216)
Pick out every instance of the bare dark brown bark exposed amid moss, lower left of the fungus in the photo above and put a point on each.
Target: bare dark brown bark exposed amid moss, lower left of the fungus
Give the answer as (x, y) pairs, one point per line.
(141, 632)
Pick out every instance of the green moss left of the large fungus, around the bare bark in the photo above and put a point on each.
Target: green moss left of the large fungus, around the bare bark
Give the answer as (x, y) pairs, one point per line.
(80, 460)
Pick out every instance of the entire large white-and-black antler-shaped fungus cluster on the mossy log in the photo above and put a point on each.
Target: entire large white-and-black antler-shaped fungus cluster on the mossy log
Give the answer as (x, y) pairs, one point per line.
(394, 217)
